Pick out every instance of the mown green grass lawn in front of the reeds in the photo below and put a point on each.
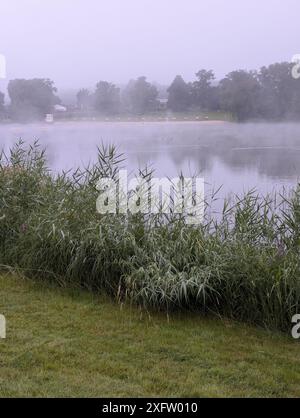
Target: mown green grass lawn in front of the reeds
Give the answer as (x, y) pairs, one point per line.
(72, 343)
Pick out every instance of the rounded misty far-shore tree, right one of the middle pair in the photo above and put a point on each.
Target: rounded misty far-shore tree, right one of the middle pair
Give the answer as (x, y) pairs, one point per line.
(140, 97)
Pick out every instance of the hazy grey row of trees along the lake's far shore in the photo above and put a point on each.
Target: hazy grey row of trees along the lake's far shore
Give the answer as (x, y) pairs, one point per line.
(270, 93)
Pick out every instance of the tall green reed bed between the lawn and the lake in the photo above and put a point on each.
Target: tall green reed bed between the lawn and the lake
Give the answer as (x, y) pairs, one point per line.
(244, 265)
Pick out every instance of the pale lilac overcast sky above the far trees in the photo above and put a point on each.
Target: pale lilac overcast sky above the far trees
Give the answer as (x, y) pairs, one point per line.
(79, 42)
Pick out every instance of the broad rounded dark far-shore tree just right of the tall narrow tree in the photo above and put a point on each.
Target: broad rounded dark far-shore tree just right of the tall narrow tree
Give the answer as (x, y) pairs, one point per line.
(240, 93)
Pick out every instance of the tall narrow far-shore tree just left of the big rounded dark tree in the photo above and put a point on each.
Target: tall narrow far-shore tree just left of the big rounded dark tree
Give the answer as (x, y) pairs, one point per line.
(204, 94)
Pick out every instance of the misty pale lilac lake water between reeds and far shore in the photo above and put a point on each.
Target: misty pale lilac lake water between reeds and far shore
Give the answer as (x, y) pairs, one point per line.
(238, 157)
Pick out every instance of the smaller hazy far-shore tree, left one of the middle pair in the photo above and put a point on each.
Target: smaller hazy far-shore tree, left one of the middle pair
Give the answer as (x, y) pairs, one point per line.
(107, 98)
